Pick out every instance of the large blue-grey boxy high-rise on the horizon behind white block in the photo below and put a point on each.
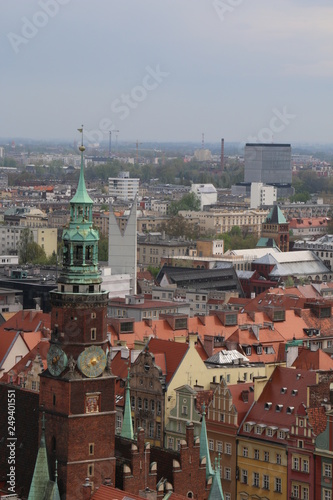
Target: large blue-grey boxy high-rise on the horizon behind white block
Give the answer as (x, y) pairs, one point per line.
(268, 163)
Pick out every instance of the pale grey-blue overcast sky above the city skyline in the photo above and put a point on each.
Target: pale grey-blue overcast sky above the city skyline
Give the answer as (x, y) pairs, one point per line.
(244, 70)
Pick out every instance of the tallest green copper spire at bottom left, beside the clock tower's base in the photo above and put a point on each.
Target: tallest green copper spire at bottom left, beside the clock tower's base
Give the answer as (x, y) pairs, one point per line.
(41, 474)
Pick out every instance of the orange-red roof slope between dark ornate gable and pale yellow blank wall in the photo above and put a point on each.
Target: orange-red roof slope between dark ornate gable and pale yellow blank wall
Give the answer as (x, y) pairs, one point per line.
(174, 353)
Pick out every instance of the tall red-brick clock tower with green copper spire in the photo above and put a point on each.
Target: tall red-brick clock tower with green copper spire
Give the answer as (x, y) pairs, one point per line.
(77, 389)
